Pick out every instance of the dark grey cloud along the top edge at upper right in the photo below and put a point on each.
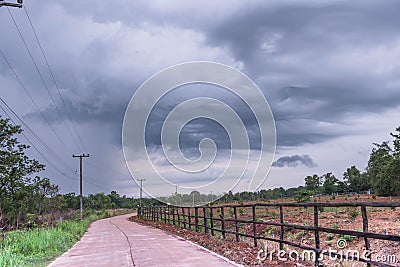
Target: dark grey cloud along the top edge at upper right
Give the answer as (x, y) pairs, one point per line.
(299, 28)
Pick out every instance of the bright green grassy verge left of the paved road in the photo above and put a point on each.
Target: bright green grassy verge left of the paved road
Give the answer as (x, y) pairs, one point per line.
(37, 247)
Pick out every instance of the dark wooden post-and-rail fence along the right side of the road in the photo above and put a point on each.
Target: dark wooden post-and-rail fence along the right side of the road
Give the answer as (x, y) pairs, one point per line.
(215, 220)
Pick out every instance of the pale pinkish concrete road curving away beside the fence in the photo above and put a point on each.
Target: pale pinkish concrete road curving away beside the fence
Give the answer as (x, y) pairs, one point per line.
(119, 242)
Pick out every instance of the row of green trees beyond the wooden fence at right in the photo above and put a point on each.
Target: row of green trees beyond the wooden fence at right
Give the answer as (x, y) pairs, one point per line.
(381, 177)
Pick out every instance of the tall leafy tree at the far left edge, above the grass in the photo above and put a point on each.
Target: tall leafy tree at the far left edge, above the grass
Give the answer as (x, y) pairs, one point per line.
(15, 173)
